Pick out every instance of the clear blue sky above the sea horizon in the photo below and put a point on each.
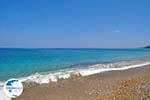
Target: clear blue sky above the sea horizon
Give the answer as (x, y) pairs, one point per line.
(74, 23)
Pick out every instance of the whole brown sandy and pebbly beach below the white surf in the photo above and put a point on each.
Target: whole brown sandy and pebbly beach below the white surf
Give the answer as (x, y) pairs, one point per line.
(112, 85)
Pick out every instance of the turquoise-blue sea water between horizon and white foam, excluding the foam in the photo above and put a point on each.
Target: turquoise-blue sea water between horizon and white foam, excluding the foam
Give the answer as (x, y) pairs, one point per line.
(15, 63)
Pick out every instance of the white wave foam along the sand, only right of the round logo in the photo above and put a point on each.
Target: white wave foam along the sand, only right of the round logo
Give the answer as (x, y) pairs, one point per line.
(64, 74)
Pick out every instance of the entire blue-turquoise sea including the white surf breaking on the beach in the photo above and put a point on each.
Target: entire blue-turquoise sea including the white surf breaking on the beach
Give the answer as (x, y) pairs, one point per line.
(44, 65)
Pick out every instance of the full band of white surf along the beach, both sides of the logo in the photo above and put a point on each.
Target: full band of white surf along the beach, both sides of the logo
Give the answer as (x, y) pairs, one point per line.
(54, 76)
